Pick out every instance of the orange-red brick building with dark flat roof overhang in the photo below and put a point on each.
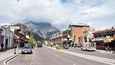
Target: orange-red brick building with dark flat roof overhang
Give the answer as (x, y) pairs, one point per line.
(76, 32)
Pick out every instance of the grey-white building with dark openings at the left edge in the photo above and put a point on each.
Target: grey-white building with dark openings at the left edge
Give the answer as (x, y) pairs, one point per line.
(6, 37)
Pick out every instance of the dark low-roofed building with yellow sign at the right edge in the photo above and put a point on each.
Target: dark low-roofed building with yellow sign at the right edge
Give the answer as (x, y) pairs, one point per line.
(105, 38)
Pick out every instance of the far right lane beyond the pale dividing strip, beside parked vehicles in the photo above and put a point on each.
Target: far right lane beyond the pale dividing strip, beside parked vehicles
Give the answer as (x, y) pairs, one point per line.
(95, 53)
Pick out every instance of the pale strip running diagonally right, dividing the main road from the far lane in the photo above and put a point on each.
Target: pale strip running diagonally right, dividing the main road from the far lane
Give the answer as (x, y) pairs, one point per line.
(90, 57)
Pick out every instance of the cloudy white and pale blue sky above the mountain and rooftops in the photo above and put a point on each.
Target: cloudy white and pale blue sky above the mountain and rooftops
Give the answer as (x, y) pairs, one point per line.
(100, 14)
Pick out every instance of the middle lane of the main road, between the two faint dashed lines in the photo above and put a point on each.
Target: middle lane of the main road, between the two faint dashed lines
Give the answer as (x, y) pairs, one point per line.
(48, 57)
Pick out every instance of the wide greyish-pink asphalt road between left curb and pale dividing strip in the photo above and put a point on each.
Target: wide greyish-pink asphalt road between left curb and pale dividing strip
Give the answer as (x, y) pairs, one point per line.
(47, 56)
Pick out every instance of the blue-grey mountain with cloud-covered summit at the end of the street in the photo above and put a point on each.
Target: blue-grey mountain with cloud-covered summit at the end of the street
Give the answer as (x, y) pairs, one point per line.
(42, 29)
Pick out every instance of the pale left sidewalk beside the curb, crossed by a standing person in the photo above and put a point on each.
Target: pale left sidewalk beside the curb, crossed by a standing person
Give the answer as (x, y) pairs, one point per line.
(5, 54)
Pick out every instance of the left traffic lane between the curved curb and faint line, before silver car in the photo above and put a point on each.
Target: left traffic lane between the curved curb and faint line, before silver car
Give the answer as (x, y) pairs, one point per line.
(23, 59)
